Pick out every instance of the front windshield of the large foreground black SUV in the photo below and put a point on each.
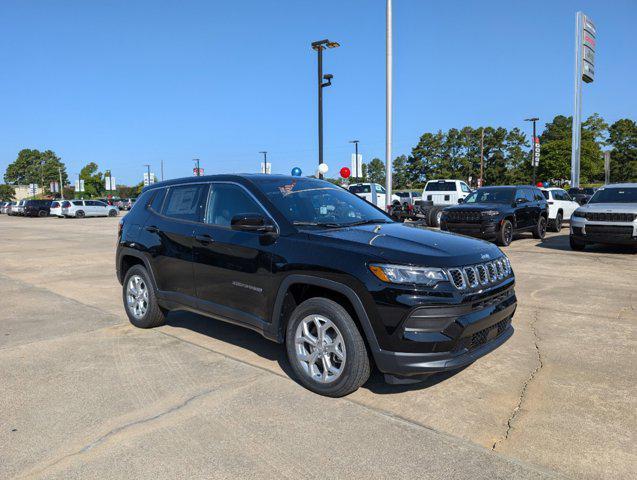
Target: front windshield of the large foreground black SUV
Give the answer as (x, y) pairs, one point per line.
(311, 202)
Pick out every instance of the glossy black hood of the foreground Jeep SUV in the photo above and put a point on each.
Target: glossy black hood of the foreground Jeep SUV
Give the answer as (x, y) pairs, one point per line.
(409, 245)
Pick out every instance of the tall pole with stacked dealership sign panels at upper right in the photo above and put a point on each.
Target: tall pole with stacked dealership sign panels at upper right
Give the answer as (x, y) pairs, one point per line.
(585, 45)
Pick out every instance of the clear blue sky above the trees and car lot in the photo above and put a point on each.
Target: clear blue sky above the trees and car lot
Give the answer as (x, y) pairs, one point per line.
(124, 82)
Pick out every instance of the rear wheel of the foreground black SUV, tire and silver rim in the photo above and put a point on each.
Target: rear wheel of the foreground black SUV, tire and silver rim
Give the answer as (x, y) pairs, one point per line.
(140, 300)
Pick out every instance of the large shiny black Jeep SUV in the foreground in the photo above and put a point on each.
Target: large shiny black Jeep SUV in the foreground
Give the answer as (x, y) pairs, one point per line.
(311, 265)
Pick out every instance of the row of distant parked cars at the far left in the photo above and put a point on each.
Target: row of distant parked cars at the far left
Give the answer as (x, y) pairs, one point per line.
(59, 208)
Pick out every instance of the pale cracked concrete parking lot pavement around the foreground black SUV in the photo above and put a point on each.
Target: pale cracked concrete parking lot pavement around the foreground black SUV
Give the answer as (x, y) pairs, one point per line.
(85, 395)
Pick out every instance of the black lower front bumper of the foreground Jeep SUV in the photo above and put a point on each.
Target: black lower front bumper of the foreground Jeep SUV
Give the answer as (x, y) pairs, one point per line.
(475, 328)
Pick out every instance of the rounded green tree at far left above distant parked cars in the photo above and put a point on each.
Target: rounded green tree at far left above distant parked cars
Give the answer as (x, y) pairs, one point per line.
(34, 166)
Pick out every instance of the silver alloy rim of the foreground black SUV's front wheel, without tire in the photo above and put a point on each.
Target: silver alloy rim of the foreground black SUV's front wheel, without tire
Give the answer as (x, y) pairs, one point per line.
(320, 348)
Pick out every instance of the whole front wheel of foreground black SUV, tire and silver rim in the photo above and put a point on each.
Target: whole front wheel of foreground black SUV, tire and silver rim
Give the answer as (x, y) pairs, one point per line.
(325, 348)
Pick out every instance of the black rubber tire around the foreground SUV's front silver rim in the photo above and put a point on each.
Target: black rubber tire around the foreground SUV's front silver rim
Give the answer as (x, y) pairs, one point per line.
(356, 368)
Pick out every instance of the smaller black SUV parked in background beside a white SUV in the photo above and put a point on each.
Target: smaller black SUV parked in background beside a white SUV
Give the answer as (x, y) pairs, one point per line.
(496, 213)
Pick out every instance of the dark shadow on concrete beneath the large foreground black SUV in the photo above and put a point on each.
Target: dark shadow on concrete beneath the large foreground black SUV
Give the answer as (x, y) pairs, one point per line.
(252, 341)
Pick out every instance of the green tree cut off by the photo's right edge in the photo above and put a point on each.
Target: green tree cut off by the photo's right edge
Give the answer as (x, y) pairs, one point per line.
(623, 157)
